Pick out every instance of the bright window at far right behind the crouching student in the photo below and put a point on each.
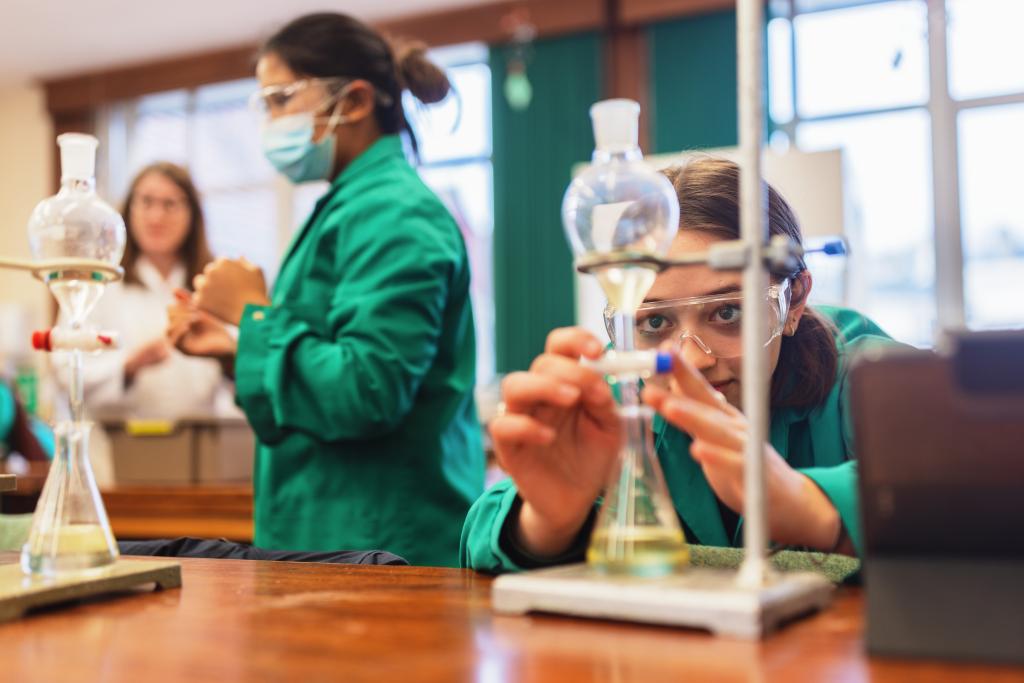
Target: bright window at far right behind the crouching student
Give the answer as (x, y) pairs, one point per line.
(856, 76)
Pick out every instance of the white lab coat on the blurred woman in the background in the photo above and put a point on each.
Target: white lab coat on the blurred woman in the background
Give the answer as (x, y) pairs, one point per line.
(181, 387)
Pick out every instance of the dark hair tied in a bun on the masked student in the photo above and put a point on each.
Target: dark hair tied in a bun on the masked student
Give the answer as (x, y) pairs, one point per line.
(333, 46)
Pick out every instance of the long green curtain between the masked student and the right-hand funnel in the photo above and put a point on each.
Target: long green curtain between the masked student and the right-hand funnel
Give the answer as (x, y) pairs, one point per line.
(534, 154)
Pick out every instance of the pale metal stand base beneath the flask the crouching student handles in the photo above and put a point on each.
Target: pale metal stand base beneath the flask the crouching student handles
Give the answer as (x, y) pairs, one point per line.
(699, 599)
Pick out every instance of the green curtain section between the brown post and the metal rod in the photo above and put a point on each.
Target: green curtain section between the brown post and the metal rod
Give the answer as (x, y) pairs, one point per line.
(694, 83)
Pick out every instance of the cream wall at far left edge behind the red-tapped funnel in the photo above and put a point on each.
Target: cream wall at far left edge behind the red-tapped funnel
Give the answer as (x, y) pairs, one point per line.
(26, 178)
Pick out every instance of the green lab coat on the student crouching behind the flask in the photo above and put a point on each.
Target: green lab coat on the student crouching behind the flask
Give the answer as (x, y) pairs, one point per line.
(817, 442)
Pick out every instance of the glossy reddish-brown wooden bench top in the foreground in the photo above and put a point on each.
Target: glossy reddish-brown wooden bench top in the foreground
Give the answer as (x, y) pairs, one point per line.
(248, 621)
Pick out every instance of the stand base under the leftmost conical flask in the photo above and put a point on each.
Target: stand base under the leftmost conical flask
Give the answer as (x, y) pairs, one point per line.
(20, 593)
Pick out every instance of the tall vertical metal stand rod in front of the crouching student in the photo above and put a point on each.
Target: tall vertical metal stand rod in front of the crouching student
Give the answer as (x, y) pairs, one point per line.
(753, 223)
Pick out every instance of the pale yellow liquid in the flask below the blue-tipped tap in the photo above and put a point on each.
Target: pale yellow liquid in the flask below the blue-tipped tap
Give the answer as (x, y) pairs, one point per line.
(645, 551)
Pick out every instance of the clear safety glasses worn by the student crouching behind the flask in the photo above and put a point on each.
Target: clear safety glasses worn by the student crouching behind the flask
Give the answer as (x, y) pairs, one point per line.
(713, 322)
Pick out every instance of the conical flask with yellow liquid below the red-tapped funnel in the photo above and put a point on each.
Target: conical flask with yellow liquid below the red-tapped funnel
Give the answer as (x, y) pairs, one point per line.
(70, 531)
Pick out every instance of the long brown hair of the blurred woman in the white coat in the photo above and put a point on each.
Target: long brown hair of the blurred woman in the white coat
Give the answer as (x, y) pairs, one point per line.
(195, 252)
